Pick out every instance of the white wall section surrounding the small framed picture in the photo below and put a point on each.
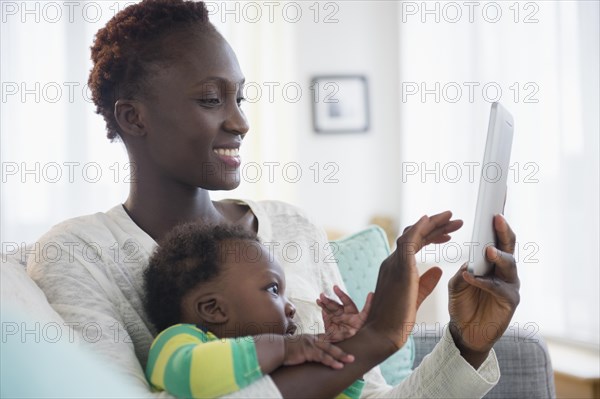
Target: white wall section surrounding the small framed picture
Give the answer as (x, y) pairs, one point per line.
(364, 41)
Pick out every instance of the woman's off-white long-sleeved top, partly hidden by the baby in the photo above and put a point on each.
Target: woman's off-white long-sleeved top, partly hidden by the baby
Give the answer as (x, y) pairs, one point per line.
(91, 268)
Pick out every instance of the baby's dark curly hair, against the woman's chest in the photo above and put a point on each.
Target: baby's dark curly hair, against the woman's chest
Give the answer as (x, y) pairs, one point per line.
(187, 256)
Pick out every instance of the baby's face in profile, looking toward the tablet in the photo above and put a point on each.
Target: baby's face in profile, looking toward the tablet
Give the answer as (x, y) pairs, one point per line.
(254, 284)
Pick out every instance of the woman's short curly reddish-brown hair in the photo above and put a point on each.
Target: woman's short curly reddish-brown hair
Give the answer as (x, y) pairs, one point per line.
(131, 44)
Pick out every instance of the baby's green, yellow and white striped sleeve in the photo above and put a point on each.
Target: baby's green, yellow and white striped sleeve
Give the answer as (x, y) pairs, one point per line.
(187, 362)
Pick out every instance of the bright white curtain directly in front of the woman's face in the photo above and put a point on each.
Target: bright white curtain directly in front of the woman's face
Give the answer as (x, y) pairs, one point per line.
(264, 47)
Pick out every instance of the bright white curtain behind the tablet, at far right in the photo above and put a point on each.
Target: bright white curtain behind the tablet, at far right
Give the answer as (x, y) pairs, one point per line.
(540, 59)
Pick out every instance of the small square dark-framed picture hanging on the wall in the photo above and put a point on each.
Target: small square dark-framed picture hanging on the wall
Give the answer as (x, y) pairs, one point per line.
(340, 103)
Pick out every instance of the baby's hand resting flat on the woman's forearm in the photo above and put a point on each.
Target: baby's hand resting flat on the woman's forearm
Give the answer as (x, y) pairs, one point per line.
(313, 348)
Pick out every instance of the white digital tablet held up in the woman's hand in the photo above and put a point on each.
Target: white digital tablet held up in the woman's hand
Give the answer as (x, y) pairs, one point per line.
(492, 187)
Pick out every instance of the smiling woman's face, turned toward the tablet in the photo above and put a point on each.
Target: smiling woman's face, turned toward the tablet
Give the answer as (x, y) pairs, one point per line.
(192, 117)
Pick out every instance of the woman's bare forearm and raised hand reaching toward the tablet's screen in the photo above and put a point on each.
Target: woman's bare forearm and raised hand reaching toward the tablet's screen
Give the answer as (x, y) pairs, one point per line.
(398, 294)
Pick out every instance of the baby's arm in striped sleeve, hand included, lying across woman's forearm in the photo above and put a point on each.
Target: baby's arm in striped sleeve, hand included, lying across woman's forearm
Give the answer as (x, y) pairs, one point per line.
(187, 362)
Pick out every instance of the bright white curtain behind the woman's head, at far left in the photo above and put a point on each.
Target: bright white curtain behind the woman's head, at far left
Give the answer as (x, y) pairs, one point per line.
(56, 160)
